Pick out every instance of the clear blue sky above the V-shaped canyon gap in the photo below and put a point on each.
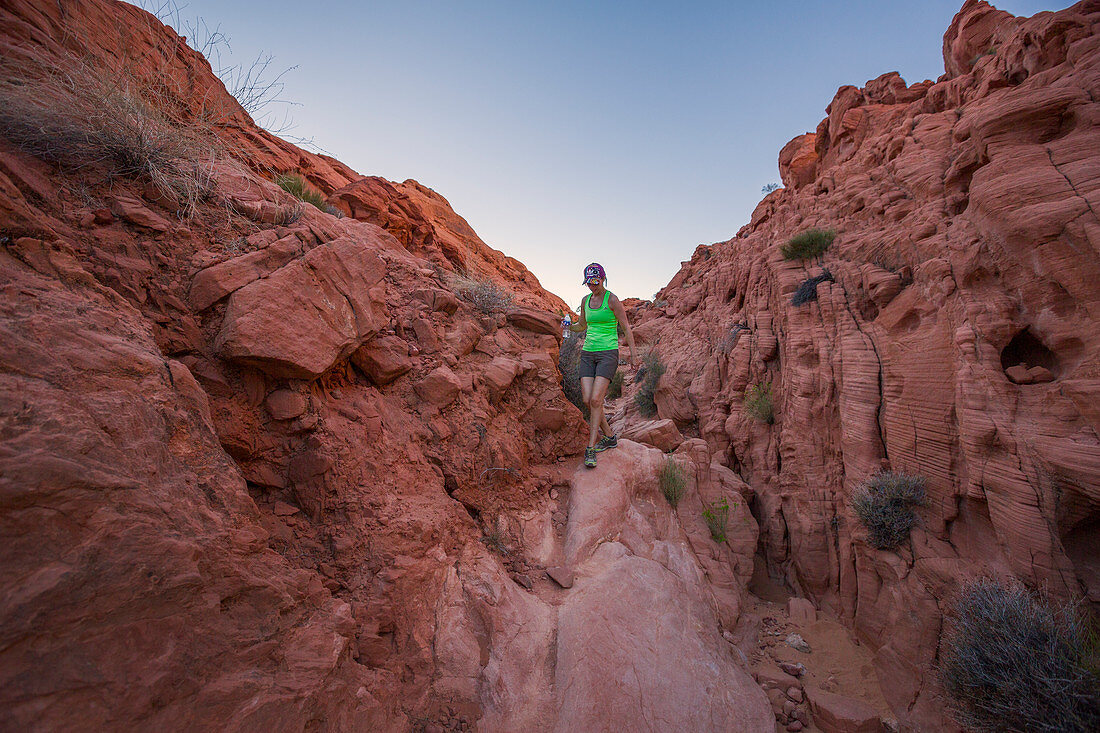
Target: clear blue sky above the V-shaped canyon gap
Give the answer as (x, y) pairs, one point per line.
(568, 133)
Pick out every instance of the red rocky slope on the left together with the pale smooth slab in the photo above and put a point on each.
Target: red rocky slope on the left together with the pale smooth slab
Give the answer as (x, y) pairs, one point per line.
(265, 467)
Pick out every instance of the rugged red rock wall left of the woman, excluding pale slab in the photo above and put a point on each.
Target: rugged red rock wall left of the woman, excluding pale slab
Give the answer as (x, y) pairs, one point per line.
(249, 458)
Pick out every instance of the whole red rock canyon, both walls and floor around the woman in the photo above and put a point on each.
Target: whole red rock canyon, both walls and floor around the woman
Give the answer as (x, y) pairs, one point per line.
(285, 447)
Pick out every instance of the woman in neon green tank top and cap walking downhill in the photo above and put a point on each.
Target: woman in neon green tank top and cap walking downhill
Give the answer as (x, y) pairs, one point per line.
(601, 315)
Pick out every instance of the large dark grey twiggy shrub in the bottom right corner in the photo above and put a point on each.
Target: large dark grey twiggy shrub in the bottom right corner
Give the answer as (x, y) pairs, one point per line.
(1014, 662)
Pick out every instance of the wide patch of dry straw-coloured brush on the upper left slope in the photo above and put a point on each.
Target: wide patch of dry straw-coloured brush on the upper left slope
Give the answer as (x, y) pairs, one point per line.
(85, 116)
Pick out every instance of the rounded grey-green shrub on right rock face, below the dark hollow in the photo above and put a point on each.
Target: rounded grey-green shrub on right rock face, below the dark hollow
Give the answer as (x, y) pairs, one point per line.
(885, 505)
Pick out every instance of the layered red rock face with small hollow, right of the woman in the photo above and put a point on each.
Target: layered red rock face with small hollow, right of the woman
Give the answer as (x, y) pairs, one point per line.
(954, 337)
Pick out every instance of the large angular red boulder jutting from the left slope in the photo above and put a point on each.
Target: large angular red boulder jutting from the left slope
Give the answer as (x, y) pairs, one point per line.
(309, 315)
